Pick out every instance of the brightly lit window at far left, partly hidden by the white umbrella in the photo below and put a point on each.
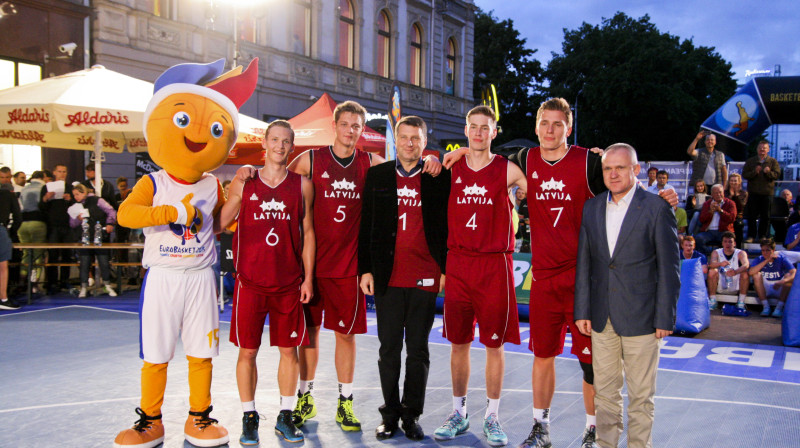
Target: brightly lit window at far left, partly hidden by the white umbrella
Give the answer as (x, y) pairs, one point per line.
(19, 157)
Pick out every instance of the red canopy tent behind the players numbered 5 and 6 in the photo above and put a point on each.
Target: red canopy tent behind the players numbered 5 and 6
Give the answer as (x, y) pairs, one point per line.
(313, 129)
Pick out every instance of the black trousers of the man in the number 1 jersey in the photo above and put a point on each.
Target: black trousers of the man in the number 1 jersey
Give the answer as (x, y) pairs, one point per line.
(400, 311)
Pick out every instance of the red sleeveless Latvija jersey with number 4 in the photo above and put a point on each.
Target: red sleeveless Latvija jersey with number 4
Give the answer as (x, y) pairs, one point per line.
(479, 210)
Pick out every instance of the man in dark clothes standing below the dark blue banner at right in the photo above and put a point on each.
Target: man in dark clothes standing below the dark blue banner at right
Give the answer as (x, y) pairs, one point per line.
(761, 171)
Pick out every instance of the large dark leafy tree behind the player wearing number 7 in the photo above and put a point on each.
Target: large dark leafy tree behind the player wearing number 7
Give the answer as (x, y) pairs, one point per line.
(639, 86)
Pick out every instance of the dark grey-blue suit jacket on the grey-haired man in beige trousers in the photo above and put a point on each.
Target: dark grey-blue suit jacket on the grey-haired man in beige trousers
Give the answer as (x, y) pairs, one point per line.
(637, 286)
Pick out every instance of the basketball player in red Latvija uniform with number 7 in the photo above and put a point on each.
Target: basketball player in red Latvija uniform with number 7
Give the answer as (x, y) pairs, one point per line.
(561, 178)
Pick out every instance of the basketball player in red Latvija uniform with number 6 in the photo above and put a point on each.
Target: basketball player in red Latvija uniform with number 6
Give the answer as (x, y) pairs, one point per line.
(274, 258)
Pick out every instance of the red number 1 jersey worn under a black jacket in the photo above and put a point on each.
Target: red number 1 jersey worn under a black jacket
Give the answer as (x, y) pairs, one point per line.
(414, 266)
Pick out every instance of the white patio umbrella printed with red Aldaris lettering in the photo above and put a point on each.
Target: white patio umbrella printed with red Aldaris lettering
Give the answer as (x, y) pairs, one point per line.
(95, 110)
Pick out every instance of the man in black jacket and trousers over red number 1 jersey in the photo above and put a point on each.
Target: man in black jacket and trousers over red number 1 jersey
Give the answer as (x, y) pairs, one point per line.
(402, 249)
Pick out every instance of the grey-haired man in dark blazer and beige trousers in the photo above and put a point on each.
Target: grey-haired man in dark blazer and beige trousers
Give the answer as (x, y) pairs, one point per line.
(626, 290)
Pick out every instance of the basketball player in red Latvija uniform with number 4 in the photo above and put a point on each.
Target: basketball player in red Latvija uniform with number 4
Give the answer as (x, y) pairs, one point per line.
(480, 283)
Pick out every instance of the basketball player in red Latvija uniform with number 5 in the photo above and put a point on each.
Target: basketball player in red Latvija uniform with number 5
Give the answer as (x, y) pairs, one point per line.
(338, 173)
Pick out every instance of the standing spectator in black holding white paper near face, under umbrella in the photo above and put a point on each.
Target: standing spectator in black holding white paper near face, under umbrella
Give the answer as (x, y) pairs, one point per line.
(58, 231)
